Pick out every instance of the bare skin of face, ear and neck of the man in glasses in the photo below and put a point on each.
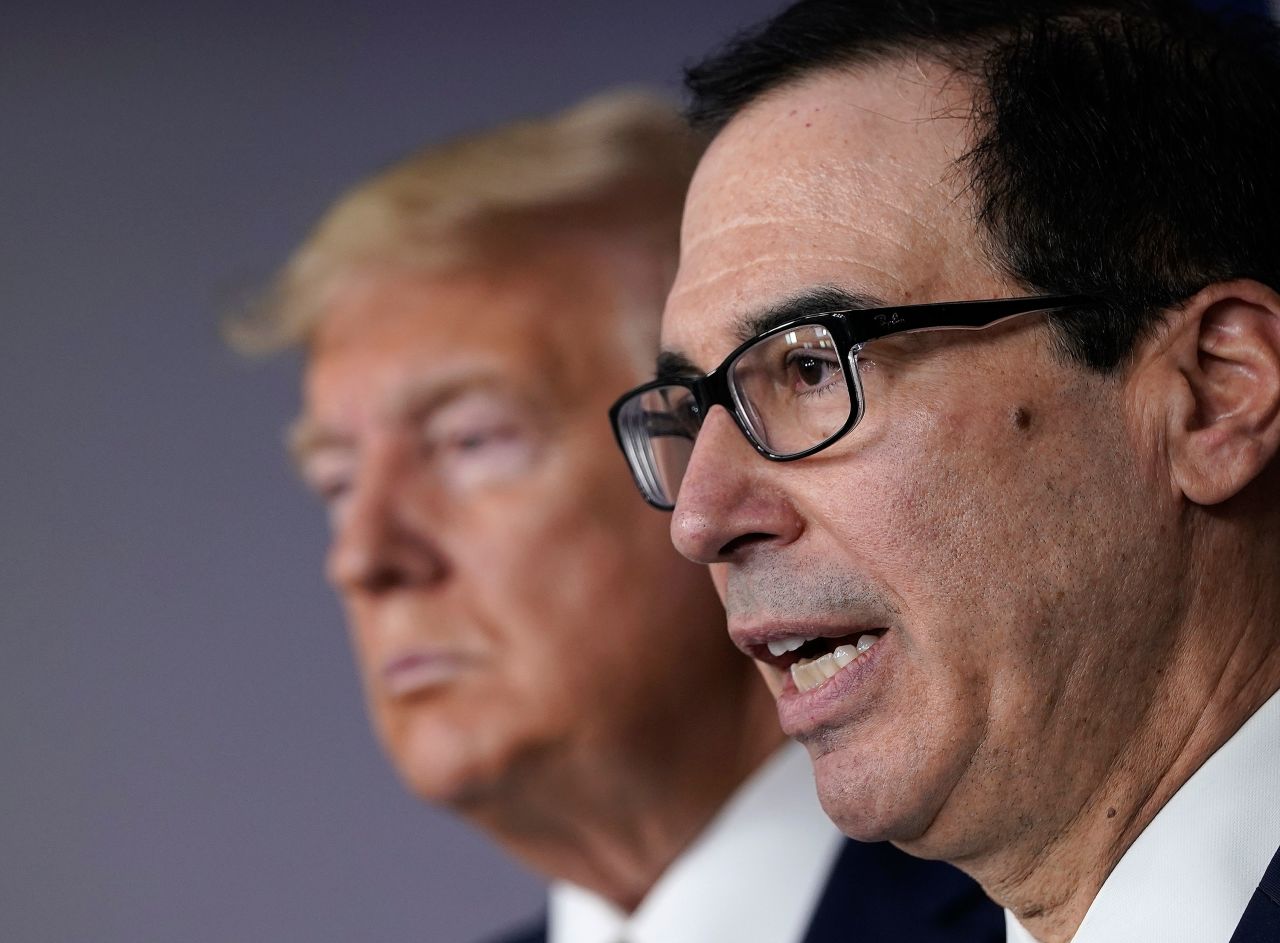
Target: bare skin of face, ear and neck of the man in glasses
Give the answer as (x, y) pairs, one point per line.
(1068, 634)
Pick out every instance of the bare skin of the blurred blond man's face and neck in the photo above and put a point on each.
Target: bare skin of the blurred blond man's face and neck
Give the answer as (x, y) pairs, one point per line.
(559, 660)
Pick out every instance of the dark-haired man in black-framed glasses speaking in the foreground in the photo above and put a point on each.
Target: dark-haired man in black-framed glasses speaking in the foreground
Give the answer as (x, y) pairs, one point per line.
(971, 399)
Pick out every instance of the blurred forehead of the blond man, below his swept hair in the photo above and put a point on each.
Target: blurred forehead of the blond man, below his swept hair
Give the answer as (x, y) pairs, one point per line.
(542, 331)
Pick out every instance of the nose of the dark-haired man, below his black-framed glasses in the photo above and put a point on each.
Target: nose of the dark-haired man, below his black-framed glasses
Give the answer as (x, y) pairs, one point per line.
(725, 507)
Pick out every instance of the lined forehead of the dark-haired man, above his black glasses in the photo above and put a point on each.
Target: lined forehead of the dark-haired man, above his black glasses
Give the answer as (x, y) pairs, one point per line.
(844, 180)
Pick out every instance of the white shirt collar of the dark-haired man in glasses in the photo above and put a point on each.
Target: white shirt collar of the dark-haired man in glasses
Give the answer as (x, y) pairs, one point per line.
(1192, 872)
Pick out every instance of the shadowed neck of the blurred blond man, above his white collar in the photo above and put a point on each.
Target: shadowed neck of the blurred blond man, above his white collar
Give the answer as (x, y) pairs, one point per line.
(615, 828)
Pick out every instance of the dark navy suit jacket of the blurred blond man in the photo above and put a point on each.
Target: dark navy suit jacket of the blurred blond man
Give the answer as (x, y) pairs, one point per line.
(880, 895)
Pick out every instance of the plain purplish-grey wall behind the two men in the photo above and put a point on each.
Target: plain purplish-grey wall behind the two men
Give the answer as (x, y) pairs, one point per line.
(182, 745)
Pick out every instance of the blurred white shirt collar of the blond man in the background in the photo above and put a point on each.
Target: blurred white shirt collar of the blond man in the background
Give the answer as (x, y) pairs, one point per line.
(755, 876)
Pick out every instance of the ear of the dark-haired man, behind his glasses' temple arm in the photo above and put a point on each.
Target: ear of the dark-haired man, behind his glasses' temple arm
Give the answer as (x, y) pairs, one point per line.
(1223, 425)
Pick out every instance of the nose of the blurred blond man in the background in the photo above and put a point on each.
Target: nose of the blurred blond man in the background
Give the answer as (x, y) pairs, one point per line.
(387, 537)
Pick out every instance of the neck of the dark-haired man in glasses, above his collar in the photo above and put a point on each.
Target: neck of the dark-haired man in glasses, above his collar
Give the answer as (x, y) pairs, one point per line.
(1227, 665)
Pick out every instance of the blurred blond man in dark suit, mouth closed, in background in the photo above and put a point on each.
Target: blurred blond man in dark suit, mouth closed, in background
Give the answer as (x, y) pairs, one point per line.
(534, 653)
